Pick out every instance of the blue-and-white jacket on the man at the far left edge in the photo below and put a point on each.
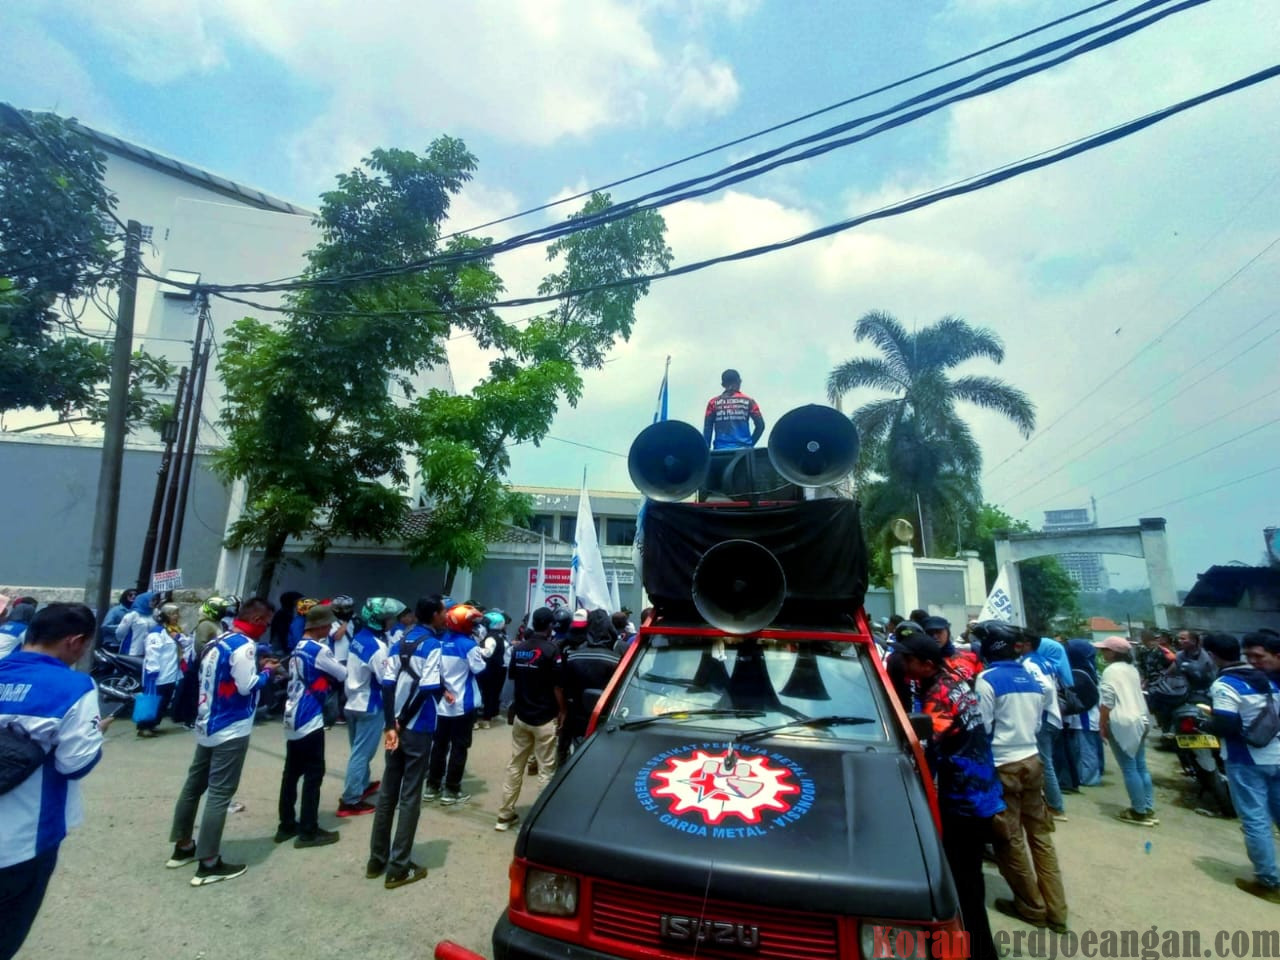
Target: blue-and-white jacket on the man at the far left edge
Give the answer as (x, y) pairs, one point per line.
(58, 710)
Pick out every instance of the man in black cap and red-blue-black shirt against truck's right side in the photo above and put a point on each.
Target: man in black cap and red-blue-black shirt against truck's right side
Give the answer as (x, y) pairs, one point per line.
(970, 792)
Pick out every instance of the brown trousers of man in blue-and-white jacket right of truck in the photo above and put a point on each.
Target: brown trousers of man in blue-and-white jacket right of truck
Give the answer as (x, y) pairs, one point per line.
(1036, 881)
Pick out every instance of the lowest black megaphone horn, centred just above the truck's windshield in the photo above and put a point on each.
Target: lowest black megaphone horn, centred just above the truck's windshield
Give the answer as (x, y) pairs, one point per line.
(739, 587)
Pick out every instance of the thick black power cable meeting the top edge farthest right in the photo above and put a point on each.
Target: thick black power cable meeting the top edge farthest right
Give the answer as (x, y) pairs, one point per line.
(756, 166)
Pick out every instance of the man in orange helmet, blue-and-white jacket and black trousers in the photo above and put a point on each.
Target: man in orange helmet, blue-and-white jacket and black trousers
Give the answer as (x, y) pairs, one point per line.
(461, 660)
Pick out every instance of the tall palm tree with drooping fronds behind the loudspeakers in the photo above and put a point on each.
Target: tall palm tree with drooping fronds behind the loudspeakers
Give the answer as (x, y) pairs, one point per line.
(915, 442)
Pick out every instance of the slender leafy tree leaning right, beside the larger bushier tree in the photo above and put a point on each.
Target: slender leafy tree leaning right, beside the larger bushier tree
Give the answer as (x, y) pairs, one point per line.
(463, 441)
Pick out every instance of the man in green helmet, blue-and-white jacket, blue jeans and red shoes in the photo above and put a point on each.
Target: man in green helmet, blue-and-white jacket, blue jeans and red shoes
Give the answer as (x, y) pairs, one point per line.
(365, 702)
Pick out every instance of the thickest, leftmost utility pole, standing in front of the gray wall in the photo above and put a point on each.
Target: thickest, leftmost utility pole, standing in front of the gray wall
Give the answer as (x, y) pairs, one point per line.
(102, 551)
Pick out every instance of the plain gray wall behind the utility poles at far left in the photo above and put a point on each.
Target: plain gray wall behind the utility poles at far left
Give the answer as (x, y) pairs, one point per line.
(51, 492)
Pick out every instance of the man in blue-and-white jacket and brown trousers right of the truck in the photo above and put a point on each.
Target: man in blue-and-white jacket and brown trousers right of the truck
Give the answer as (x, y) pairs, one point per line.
(1012, 705)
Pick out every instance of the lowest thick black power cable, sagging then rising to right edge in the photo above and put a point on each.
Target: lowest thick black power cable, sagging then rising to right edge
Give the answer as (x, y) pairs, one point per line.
(961, 189)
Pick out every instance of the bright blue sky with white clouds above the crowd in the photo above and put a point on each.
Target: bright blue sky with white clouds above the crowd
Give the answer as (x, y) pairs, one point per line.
(1135, 287)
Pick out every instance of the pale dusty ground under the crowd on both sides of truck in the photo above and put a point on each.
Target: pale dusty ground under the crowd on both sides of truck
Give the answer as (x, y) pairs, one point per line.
(113, 898)
